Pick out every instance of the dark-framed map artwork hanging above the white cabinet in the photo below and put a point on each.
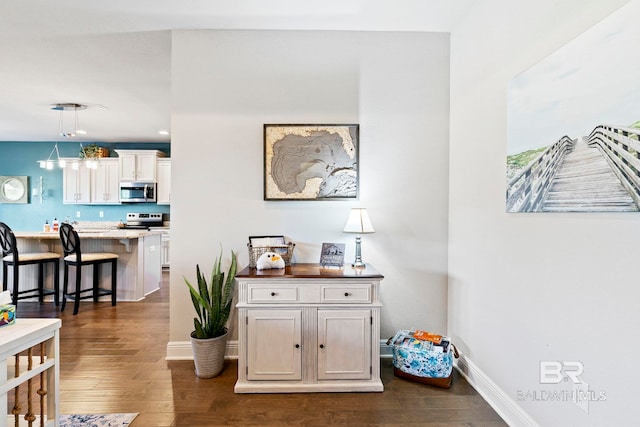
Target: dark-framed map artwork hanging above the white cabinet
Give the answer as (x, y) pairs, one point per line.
(310, 162)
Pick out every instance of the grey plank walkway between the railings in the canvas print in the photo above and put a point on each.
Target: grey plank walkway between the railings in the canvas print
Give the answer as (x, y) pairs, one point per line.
(585, 182)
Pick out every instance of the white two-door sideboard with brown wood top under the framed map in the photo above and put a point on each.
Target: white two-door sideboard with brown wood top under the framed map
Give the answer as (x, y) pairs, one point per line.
(308, 329)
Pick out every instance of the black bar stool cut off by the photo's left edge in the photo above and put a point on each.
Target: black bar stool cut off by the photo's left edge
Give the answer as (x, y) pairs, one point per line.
(11, 257)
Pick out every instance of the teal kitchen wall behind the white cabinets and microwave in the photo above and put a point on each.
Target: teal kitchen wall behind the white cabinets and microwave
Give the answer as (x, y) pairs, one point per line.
(21, 158)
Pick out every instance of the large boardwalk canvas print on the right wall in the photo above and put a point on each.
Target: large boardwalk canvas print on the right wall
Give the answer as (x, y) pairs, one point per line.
(574, 124)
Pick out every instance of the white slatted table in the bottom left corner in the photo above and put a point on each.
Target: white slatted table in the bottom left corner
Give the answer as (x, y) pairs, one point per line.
(16, 339)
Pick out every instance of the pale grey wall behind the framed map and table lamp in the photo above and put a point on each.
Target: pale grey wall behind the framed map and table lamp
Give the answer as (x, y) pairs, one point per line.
(227, 84)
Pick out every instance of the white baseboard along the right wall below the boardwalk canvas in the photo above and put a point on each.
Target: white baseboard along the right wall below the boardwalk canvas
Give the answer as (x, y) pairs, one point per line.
(501, 402)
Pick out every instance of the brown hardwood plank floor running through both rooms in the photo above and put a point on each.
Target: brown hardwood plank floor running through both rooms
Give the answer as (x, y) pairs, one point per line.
(112, 360)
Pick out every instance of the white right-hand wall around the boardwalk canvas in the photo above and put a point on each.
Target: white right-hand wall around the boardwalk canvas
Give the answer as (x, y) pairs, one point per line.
(526, 288)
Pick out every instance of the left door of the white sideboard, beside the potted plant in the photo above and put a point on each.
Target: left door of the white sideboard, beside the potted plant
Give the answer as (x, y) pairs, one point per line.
(274, 344)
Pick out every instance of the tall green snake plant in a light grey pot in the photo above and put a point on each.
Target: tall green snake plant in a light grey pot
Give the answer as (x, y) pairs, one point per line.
(212, 303)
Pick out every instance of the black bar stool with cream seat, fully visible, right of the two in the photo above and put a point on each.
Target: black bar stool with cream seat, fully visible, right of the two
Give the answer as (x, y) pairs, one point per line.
(73, 256)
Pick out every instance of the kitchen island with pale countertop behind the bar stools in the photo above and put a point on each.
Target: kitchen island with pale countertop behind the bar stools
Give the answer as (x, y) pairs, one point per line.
(139, 258)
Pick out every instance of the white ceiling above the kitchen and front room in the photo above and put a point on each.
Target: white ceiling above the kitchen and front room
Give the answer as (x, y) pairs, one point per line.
(115, 56)
